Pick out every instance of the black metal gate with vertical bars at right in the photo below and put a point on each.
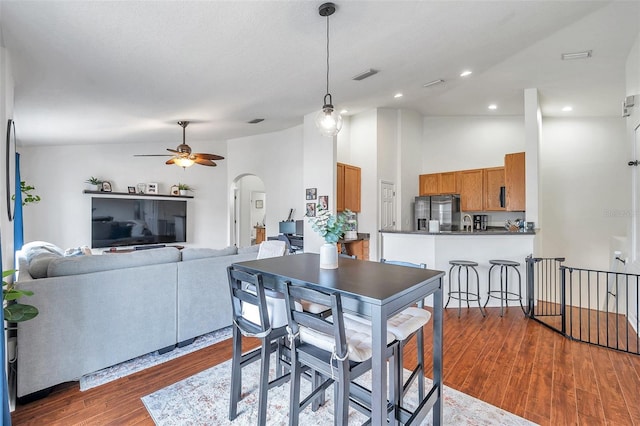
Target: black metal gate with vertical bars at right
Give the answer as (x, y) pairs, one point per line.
(597, 307)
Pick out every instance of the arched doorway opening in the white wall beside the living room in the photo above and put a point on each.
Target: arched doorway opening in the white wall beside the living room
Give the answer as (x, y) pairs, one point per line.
(249, 208)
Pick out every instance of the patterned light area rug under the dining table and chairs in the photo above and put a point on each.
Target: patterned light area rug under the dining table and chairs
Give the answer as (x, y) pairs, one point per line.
(203, 399)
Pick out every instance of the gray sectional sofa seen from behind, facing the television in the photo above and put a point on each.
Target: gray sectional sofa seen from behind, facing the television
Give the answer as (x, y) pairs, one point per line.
(100, 310)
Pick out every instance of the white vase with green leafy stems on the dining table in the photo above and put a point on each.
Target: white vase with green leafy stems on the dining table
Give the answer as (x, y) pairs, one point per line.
(330, 227)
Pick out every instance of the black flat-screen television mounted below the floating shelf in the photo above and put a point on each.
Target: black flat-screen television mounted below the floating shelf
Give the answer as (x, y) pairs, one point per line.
(119, 222)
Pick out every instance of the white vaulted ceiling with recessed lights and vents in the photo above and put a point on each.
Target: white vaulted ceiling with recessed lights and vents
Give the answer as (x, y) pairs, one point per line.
(127, 71)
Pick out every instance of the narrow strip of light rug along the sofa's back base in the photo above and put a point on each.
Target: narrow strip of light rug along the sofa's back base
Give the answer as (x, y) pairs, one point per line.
(140, 363)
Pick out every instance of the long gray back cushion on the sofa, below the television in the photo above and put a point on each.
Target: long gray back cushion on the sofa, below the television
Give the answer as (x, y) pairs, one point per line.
(108, 261)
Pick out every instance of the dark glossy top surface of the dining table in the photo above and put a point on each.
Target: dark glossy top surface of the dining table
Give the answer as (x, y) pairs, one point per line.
(371, 282)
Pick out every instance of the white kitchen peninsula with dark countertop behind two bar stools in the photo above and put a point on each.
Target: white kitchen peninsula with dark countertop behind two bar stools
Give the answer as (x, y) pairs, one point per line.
(437, 249)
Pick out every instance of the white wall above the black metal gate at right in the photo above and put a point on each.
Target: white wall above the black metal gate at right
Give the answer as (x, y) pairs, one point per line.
(584, 188)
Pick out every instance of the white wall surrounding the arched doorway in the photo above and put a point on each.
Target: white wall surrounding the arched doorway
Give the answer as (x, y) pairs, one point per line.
(276, 158)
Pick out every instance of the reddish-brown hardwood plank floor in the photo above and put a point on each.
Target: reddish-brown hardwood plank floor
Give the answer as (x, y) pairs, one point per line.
(511, 362)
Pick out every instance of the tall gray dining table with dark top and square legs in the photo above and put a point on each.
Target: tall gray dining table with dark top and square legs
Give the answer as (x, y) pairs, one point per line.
(377, 291)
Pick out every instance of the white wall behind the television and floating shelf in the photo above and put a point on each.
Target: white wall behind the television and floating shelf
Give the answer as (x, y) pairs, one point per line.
(63, 217)
